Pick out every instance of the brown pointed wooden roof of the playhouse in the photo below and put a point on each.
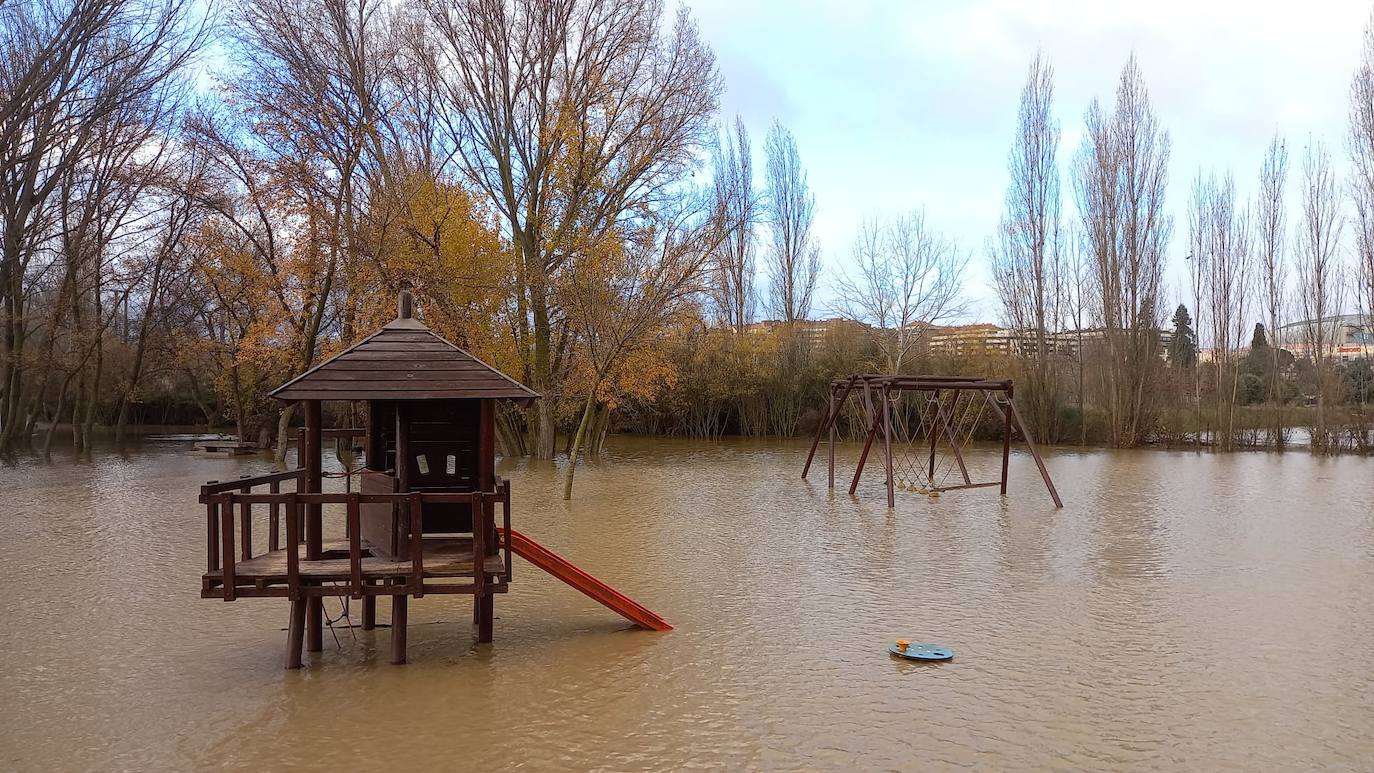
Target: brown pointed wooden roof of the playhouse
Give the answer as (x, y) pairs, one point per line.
(405, 360)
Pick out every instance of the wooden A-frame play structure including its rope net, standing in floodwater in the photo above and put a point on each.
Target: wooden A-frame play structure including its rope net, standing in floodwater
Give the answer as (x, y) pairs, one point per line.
(925, 424)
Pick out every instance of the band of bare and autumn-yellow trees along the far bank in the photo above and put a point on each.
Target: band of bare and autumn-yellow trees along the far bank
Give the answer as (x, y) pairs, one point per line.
(197, 207)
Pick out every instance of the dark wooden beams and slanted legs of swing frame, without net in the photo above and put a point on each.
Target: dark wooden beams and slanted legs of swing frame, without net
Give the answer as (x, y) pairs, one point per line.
(886, 388)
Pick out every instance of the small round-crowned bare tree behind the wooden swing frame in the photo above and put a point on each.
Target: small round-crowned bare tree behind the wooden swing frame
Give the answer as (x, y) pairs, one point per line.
(908, 281)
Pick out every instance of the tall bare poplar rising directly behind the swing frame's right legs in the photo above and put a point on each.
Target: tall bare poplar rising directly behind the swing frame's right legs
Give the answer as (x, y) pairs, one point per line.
(1026, 257)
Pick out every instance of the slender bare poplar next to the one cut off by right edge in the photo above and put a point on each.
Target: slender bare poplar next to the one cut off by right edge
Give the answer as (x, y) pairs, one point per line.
(1320, 274)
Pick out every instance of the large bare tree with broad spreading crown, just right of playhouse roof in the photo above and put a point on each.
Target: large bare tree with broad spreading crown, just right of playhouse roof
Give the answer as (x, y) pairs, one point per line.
(571, 116)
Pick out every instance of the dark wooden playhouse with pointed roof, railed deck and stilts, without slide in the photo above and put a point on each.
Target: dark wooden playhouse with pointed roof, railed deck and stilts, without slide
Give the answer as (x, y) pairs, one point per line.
(425, 520)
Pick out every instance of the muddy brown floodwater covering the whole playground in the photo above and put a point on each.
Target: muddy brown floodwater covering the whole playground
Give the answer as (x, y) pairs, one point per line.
(1182, 612)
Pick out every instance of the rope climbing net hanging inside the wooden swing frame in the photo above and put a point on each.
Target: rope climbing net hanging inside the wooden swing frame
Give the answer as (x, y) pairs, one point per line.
(931, 429)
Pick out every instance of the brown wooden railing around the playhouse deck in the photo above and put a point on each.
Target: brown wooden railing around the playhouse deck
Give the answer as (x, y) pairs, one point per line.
(226, 550)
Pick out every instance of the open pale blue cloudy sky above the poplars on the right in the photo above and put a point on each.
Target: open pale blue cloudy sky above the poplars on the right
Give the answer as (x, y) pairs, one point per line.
(901, 105)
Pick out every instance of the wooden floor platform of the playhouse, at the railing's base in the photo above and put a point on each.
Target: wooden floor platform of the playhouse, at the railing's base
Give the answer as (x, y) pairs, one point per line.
(269, 575)
